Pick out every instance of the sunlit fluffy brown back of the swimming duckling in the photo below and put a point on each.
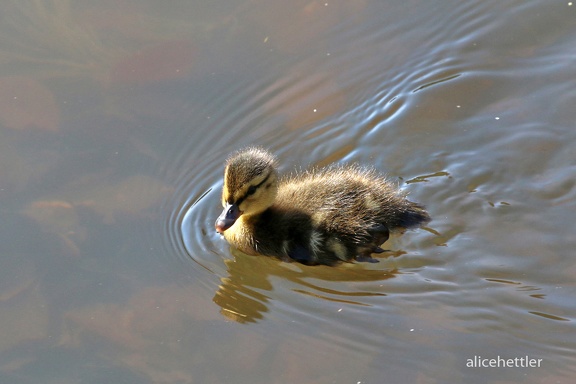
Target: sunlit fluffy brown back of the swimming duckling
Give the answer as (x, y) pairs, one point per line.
(350, 199)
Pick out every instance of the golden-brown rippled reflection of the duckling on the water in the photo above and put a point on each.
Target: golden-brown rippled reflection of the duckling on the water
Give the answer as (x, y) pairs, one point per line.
(243, 297)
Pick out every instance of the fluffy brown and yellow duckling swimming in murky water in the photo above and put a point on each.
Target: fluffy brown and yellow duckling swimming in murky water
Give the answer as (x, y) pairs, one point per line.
(322, 216)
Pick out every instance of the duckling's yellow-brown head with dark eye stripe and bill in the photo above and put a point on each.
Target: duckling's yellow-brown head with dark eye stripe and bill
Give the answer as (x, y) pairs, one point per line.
(250, 186)
